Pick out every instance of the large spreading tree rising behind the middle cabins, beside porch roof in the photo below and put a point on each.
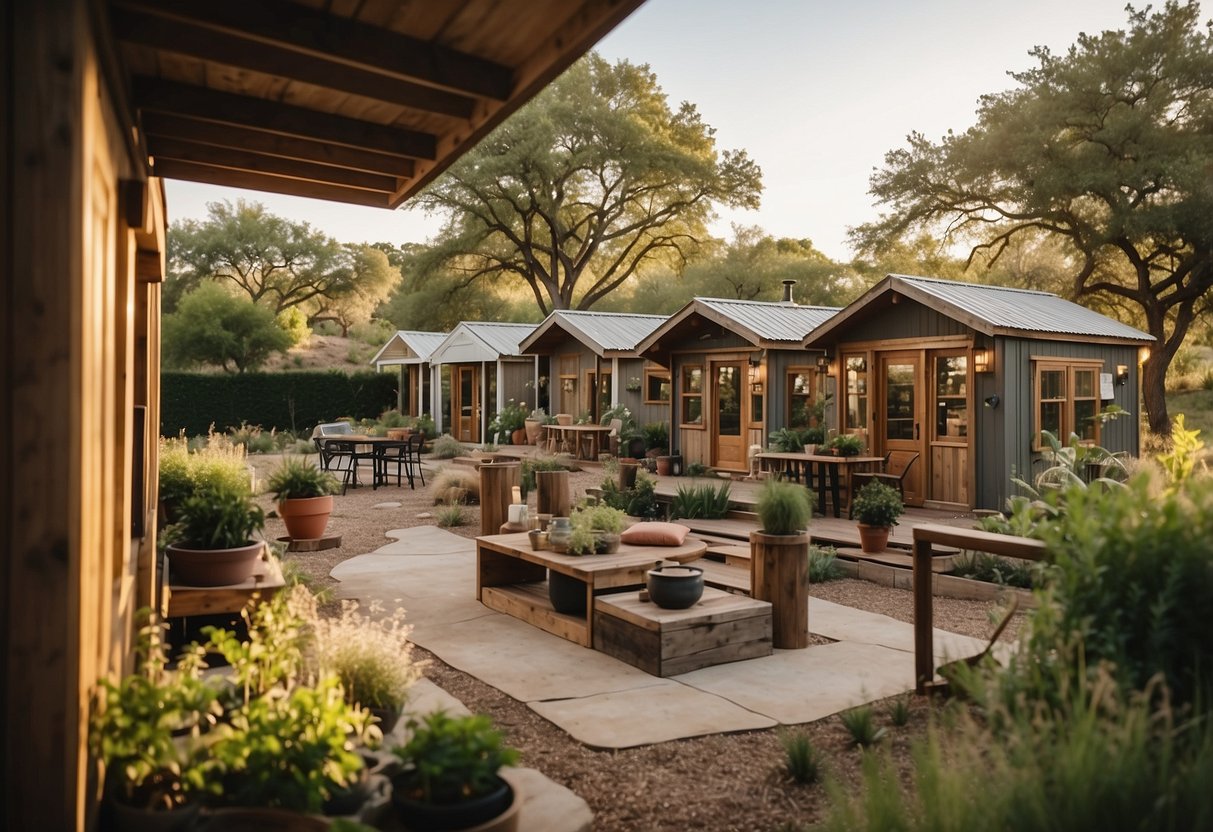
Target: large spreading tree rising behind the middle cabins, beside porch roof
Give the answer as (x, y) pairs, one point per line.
(616, 180)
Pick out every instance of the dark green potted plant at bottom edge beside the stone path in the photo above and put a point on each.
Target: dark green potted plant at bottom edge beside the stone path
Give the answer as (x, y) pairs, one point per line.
(452, 777)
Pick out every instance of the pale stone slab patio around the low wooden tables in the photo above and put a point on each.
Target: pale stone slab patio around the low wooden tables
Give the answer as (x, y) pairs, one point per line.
(607, 704)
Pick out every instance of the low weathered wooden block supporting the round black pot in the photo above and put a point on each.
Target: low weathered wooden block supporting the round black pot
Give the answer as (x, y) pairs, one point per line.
(722, 628)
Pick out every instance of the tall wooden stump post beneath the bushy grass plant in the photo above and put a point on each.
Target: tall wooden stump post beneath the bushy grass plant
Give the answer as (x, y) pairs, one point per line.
(779, 573)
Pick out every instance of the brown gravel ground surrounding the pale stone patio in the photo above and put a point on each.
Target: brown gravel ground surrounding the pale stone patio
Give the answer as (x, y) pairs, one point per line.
(728, 782)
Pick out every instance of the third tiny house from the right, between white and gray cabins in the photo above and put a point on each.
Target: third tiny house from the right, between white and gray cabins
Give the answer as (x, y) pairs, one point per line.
(591, 362)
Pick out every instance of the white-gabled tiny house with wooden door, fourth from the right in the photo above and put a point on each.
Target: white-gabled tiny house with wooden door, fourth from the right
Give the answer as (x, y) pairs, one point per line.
(476, 371)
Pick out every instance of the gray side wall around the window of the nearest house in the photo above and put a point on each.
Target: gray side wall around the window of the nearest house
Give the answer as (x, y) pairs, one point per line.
(1005, 435)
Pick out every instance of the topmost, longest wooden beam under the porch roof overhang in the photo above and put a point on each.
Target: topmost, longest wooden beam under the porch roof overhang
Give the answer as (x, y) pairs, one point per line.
(340, 39)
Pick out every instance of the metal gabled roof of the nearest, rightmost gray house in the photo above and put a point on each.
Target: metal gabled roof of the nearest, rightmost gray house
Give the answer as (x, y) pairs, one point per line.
(988, 310)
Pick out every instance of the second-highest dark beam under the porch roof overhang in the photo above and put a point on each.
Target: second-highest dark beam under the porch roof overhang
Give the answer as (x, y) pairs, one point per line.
(231, 50)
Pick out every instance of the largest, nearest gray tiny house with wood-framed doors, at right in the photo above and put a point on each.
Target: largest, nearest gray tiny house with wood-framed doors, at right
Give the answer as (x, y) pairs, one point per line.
(969, 377)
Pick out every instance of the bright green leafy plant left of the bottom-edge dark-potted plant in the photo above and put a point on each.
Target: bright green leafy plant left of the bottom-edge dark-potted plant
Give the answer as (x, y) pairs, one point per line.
(293, 751)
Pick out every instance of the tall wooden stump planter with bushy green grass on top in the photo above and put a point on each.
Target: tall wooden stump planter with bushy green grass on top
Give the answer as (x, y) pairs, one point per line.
(779, 559)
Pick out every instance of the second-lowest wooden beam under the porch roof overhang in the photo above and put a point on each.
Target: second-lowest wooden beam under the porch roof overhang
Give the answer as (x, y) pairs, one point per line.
(272, 145)
